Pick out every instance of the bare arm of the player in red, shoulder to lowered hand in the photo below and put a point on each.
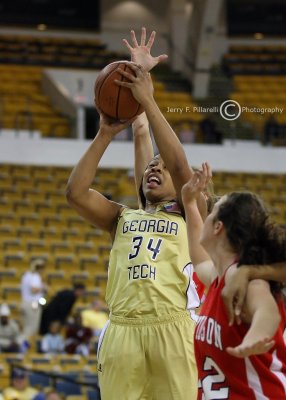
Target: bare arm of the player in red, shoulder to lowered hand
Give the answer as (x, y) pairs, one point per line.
(262, 312)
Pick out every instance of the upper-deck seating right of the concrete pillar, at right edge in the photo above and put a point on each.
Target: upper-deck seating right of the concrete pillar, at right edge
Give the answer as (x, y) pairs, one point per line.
(258, 73)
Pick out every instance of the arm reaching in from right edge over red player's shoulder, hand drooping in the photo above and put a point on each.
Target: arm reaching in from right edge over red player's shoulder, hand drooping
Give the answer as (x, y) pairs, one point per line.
(235, 289)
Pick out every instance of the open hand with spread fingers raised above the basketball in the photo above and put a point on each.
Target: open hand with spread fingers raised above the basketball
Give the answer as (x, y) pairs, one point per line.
(141, 53)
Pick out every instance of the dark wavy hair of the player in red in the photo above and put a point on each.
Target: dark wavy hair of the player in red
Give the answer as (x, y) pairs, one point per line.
(250, 231)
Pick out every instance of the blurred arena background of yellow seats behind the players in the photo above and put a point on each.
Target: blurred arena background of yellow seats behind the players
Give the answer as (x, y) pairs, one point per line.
(51, 52)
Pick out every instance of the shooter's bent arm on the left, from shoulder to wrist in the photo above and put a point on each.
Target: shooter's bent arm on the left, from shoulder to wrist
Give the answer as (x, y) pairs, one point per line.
(89, 203)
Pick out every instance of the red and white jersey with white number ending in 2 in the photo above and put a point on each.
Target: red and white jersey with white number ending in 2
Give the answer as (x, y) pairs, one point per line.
(222, 376)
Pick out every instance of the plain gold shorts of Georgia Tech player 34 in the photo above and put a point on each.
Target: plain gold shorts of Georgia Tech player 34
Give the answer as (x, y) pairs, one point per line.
(148, 358)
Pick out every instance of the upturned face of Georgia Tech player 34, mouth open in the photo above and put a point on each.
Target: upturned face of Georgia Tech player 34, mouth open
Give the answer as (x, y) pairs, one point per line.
(157, 182)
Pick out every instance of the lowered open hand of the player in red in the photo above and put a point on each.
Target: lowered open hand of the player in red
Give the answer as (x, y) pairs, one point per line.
(249, 349)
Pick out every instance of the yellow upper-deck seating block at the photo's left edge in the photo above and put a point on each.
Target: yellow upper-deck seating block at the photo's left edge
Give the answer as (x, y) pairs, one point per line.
(25, 107)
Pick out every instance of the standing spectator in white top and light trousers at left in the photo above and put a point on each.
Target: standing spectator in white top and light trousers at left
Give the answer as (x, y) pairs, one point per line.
(33, 290)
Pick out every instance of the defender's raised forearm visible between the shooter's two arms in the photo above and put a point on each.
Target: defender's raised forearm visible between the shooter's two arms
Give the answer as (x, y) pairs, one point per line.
(143, 149)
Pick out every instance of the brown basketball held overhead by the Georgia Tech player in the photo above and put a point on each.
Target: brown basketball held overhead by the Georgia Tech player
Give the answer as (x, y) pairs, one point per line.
(113, 100)
